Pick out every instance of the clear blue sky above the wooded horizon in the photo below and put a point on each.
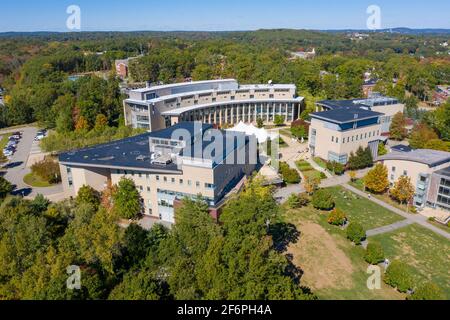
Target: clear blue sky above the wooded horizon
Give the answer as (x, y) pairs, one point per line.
(123, 15)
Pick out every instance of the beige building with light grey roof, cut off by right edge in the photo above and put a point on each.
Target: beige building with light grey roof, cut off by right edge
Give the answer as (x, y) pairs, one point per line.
(429, 171)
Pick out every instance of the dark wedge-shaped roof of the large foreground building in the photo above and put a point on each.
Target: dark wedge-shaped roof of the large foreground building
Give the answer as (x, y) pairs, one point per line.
(134, 153)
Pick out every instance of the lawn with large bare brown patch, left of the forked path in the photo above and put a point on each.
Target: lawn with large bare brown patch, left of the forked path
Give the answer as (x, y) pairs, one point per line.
(333, 267)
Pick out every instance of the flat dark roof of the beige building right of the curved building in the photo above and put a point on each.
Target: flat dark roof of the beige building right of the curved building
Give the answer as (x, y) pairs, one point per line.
(344, 115)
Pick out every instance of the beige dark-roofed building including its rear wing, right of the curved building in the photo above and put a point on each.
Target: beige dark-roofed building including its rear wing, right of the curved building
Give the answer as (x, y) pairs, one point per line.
(340, 127)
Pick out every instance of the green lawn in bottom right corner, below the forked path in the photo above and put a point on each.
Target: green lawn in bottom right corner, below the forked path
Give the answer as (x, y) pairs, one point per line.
(426, 252)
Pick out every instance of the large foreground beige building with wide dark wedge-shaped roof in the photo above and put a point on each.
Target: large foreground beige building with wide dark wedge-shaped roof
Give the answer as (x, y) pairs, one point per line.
(185, 160)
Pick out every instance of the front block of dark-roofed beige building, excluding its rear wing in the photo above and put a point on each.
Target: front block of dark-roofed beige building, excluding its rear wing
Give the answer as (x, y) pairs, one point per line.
(335, 134)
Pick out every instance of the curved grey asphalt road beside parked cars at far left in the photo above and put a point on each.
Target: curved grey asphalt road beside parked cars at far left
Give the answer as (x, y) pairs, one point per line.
(16, 169)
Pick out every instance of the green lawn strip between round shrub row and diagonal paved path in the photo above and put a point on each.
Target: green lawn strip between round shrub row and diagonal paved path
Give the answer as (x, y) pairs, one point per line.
(362, 210)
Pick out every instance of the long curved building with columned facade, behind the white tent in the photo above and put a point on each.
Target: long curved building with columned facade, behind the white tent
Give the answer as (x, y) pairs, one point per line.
(217, 102)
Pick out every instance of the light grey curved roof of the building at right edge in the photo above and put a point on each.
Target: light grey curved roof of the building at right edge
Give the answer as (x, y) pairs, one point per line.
(432, 158)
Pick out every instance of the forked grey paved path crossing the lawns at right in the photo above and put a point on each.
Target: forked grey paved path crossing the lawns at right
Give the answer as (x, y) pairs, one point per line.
(411, 218)
